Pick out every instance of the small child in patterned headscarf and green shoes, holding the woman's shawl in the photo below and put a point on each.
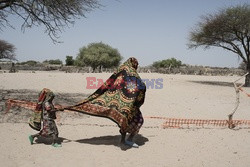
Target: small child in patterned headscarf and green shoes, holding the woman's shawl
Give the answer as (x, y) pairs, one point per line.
(46, 112)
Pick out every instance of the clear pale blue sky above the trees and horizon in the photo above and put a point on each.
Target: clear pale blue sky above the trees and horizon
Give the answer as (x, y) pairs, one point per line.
(150, 30)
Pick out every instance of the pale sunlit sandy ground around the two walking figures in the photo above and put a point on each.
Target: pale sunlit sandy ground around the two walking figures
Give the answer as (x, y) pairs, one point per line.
(93, 141)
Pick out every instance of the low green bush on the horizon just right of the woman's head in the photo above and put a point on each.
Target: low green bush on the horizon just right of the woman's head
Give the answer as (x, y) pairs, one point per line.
(167, 63)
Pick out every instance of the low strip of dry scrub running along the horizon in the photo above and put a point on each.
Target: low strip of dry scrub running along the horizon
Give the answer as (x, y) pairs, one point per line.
(185, 69)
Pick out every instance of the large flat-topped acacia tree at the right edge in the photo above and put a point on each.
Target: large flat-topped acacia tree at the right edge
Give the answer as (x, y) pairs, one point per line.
(228, 29)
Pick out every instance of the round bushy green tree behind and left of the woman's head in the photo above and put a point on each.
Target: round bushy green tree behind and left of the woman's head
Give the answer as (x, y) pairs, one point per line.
(98, 55)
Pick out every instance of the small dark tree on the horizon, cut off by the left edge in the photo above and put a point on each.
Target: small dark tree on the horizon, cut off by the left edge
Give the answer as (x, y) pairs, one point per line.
(7, 50)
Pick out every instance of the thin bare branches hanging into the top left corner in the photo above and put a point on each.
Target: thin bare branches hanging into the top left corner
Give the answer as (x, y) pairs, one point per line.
(54, 15)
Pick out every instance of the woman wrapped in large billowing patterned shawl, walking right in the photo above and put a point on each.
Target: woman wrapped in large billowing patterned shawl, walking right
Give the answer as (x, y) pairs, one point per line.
(119, 99)
